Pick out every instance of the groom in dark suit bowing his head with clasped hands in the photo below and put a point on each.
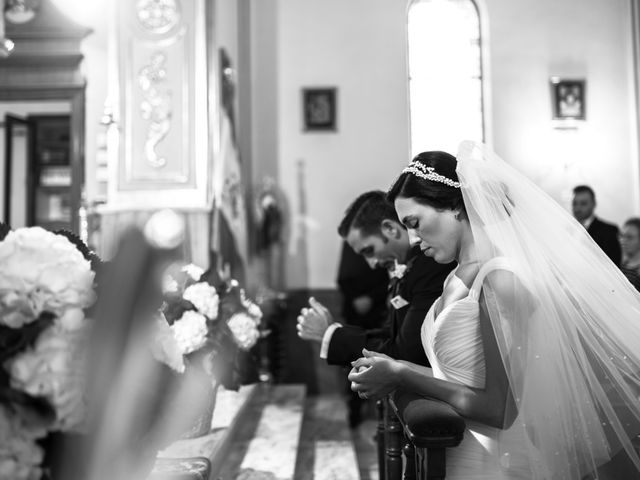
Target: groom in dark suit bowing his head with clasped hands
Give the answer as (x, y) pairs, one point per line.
(371, 227)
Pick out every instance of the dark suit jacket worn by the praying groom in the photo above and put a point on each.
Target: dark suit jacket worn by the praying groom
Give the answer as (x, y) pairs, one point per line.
(421, 285)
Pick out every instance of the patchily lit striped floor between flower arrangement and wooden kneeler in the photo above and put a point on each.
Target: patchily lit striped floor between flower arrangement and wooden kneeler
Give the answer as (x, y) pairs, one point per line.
(325, 447)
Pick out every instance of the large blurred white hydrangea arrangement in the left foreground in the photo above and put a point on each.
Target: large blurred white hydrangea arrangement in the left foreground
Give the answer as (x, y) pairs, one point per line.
(46, 283)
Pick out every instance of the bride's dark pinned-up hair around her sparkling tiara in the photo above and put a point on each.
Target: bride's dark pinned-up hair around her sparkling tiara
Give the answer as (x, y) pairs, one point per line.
(428, 192)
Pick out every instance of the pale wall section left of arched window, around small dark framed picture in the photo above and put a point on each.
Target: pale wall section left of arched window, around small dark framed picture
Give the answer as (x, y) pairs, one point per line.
(357, 47)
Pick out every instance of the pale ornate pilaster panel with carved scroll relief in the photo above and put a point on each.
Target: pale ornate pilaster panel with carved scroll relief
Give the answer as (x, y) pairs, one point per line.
(160, 150)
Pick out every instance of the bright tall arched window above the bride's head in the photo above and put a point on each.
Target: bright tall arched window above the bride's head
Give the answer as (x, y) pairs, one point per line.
(445, 74)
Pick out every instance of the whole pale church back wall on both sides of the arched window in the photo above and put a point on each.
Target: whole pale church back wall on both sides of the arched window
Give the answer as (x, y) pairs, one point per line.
(359, 47)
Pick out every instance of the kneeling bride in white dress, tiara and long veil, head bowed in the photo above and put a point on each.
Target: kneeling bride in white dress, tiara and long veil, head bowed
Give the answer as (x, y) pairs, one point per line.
(535, 340)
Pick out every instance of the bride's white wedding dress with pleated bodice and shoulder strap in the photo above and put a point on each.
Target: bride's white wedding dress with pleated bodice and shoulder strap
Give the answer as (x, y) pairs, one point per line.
(453, 344)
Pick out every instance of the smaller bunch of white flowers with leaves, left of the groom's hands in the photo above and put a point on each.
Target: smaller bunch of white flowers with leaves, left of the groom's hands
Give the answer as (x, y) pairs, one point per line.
(212, 322)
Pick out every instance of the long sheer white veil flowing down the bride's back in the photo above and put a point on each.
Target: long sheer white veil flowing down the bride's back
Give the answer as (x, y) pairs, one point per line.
(569, 333)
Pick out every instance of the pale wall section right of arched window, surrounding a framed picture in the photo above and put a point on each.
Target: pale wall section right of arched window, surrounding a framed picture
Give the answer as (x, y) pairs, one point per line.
(531, 40)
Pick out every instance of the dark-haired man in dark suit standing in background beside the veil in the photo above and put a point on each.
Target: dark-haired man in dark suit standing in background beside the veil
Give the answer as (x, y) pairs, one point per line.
(603, 233)
